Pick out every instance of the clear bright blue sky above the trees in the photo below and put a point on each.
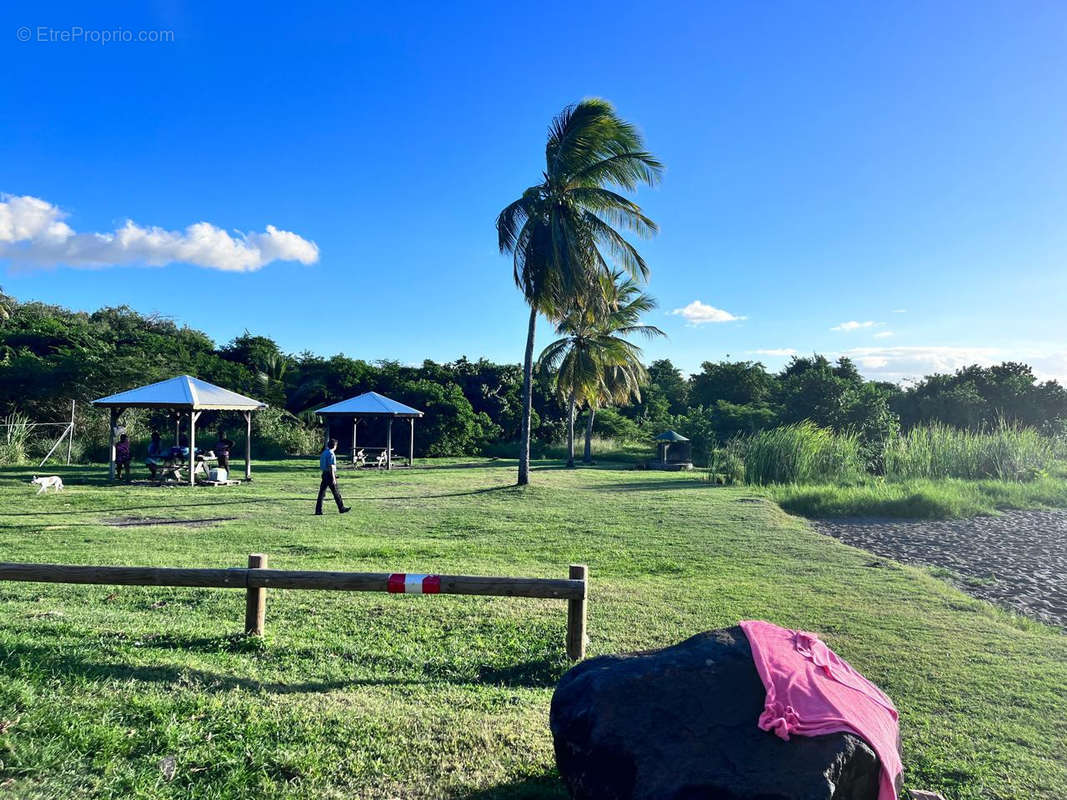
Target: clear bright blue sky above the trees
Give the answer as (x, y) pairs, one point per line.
(900, 167)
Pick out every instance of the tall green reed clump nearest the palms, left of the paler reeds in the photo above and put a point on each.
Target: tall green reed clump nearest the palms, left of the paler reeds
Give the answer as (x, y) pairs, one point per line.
(801, 454)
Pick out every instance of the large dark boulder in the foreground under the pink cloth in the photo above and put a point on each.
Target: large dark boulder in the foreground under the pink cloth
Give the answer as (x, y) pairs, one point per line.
(680, 724)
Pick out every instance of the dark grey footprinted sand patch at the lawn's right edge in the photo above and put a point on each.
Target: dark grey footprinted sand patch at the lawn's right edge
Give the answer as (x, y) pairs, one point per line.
(1018, 559)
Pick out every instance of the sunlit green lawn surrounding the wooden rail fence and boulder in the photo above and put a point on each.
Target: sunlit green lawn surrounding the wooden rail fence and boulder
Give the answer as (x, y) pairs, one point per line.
(150, 693)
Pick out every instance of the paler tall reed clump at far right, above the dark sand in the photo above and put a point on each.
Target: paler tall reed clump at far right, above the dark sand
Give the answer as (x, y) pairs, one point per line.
(1005, 453)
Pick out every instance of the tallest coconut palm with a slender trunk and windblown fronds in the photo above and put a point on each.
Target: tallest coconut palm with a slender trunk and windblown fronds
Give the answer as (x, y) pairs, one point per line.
(562, 232)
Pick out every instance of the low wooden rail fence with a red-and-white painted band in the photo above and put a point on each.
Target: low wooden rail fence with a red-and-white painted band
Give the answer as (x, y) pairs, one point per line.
(257, 579)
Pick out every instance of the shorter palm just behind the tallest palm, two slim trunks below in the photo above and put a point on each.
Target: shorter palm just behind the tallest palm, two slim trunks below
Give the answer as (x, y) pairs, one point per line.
(593, 361)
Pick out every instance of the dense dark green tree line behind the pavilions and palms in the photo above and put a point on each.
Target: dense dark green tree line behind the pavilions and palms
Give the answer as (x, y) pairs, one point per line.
(52, 356)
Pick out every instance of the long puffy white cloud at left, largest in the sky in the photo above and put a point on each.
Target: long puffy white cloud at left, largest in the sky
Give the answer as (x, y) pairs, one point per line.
(33, 233)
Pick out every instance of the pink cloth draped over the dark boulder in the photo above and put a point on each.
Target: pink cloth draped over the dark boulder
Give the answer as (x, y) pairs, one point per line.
(813, 692)
